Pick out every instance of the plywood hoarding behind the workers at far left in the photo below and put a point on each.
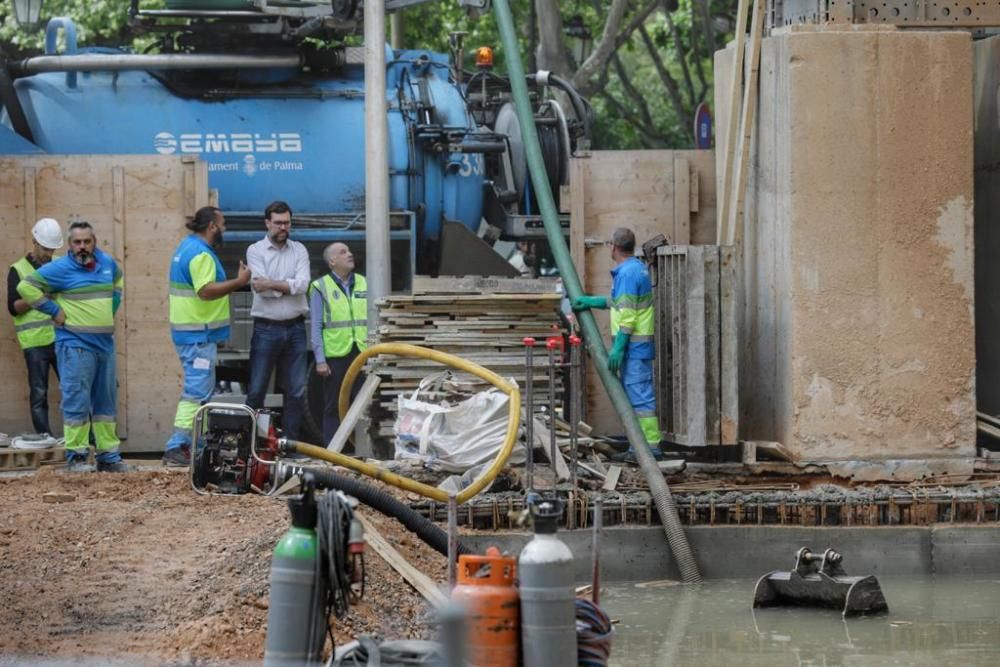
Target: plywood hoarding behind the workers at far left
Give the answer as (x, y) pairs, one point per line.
(137, 206)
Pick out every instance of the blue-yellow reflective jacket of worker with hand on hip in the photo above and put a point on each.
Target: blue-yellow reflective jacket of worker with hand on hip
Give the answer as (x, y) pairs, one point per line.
(88, 297)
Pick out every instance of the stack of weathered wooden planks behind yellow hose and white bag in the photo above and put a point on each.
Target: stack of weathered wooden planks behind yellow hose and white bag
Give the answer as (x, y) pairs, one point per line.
(481, 320)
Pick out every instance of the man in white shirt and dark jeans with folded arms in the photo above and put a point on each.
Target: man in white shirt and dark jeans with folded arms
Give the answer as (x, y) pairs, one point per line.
(279, 268)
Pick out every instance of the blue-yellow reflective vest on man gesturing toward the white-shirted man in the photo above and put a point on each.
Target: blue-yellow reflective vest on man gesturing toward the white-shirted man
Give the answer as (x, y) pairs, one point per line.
(193, 319)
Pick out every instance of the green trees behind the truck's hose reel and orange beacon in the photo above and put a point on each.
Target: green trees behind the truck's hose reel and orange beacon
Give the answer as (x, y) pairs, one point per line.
(644, 93)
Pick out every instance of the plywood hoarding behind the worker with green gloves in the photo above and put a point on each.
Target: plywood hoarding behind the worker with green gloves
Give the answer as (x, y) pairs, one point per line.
(635, 189)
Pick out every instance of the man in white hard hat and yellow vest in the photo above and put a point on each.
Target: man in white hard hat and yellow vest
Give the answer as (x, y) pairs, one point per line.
(35, 331)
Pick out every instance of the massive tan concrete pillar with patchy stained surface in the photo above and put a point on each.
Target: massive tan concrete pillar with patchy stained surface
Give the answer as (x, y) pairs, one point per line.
(857, 268)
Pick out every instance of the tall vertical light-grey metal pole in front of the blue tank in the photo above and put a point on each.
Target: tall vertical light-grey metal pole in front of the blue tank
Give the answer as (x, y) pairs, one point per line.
(377, 247)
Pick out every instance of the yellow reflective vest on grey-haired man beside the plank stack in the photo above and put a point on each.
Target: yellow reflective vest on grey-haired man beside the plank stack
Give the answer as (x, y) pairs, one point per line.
(345, 318)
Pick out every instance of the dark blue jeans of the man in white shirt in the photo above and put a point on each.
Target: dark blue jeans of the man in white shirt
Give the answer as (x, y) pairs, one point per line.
(281, 346)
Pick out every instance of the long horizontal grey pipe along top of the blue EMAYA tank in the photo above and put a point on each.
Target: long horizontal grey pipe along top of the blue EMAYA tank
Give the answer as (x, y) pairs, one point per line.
(102, 62)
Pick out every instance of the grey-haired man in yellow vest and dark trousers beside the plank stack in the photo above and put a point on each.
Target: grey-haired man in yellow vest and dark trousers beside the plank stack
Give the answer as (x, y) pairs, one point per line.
(338, 312)
